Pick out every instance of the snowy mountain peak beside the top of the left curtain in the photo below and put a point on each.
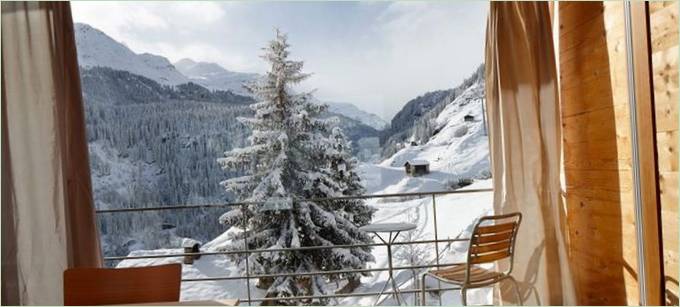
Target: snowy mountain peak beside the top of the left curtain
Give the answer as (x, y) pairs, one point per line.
(95, 48)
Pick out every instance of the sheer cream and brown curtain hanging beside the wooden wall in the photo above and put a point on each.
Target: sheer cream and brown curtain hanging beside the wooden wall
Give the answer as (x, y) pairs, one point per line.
(525, 141)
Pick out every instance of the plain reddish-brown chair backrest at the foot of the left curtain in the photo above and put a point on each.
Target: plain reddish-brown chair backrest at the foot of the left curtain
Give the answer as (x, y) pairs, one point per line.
(97, 286)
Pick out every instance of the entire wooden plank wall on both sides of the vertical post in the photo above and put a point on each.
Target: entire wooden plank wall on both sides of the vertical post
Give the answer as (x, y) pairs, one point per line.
(597, 147)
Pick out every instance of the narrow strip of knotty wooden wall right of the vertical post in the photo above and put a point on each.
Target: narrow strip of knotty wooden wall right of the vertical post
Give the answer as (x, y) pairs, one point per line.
(663, 22)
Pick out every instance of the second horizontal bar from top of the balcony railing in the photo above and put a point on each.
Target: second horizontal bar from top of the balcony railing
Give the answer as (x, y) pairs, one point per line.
(302, 248)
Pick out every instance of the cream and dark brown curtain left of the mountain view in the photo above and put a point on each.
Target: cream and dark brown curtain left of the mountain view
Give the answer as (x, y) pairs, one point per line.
(47, 210)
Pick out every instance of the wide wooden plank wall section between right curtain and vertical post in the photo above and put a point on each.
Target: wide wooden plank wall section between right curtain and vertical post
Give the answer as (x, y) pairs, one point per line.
(597, 153)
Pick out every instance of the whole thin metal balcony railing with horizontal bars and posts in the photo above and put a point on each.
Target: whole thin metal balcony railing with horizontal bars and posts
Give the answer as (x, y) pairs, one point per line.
(247, 252)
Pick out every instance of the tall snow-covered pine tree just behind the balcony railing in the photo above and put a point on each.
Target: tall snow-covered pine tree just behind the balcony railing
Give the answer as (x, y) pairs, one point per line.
(290, 159)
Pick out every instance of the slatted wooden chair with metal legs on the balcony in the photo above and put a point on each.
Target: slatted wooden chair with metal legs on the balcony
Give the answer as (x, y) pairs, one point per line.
(488, 244)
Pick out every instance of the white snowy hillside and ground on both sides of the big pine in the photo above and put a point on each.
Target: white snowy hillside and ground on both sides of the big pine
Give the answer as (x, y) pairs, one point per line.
(458, 149)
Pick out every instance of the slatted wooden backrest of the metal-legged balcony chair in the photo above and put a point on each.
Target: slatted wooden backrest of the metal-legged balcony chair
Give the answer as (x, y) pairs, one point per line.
(491, 242)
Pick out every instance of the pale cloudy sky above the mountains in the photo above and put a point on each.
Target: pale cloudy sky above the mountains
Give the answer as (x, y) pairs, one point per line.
(375, 55)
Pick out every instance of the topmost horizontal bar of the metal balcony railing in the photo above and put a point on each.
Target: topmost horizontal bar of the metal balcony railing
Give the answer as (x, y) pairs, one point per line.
(235, 204)
